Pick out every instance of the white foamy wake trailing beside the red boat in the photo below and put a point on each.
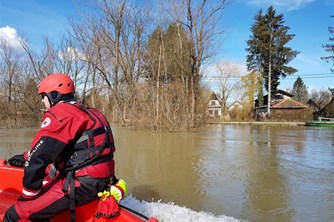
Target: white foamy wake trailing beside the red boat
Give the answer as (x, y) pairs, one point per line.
(169, 212)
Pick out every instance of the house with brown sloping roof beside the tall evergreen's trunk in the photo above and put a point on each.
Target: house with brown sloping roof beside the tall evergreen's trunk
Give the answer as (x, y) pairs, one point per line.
(283, 107)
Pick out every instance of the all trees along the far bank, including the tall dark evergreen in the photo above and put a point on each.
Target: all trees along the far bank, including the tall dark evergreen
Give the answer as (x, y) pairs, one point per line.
(144, 66)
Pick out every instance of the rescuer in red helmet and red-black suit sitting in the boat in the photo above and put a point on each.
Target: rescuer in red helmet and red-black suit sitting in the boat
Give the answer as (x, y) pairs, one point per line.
(73, 148)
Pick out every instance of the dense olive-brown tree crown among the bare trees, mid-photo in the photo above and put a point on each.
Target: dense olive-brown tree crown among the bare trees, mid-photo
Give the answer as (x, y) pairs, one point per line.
(167, 55)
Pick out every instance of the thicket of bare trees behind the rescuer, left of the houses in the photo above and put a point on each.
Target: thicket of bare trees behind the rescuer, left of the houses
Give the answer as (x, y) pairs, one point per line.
(137, 67)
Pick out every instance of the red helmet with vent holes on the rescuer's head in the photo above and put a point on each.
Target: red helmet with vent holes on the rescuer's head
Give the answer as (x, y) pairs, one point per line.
(57, 82)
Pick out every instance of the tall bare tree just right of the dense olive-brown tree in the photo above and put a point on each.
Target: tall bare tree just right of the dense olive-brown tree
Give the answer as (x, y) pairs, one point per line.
(201, 19)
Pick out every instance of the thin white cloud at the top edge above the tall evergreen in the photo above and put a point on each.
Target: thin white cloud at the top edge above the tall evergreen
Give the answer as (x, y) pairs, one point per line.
(288, 5)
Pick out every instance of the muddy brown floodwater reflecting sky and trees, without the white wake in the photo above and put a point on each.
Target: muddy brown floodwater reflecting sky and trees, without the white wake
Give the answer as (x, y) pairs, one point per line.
(256, 173)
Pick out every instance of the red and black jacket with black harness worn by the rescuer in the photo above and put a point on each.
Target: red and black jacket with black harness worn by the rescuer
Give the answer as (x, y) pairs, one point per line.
(73, 138)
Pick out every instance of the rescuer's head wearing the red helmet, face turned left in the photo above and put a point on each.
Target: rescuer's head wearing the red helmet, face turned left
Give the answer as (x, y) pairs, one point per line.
(56, 87)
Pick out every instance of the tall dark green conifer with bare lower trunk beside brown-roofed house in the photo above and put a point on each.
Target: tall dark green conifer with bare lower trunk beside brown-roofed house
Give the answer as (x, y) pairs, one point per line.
(267, 50)
